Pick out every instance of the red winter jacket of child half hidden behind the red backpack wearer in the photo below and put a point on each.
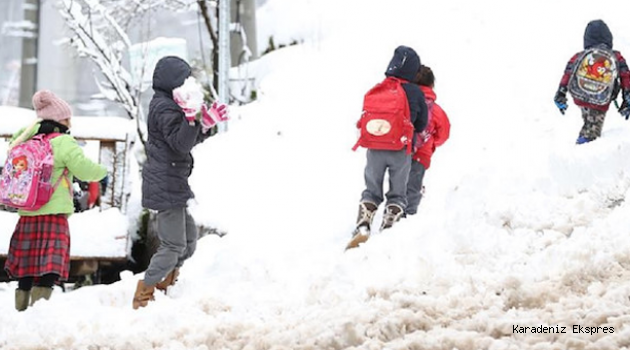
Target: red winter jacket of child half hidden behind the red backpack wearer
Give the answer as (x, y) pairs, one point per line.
(437, 131)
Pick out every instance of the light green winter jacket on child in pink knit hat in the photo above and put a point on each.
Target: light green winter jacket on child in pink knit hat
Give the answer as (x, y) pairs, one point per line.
(66, 154)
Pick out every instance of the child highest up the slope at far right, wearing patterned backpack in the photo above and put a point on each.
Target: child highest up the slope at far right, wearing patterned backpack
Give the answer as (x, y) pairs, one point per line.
(593, 77)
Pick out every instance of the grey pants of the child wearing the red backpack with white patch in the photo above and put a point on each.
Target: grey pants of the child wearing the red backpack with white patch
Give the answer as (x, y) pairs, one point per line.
(398, 164)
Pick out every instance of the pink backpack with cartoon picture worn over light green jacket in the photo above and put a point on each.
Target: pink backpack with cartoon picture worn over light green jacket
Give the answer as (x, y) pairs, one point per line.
(26, 177)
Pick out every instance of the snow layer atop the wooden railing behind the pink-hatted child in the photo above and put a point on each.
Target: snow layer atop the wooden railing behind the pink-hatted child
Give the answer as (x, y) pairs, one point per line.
(108, 127)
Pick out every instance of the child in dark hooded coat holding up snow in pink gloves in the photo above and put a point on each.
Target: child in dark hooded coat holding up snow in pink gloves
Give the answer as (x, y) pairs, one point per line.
(178, 120)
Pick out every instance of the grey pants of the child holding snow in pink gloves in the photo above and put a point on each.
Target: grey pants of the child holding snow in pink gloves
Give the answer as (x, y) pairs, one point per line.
(177, 232)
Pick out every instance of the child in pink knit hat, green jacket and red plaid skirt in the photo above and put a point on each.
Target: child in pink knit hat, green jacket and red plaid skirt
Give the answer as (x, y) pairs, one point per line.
(39, 251)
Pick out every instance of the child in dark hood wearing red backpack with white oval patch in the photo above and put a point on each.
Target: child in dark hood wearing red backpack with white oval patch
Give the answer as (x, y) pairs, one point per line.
(393, 111)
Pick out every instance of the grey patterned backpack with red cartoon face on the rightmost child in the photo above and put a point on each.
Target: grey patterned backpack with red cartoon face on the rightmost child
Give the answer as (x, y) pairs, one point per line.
(594, 77)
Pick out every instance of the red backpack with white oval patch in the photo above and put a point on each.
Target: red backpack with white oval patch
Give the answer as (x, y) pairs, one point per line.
(385, 122)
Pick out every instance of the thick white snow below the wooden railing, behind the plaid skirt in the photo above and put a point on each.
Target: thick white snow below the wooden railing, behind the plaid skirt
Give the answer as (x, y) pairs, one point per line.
(93, 233)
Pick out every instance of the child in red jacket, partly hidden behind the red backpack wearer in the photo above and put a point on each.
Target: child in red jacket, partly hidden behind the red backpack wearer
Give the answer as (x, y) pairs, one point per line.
(435, 134)
